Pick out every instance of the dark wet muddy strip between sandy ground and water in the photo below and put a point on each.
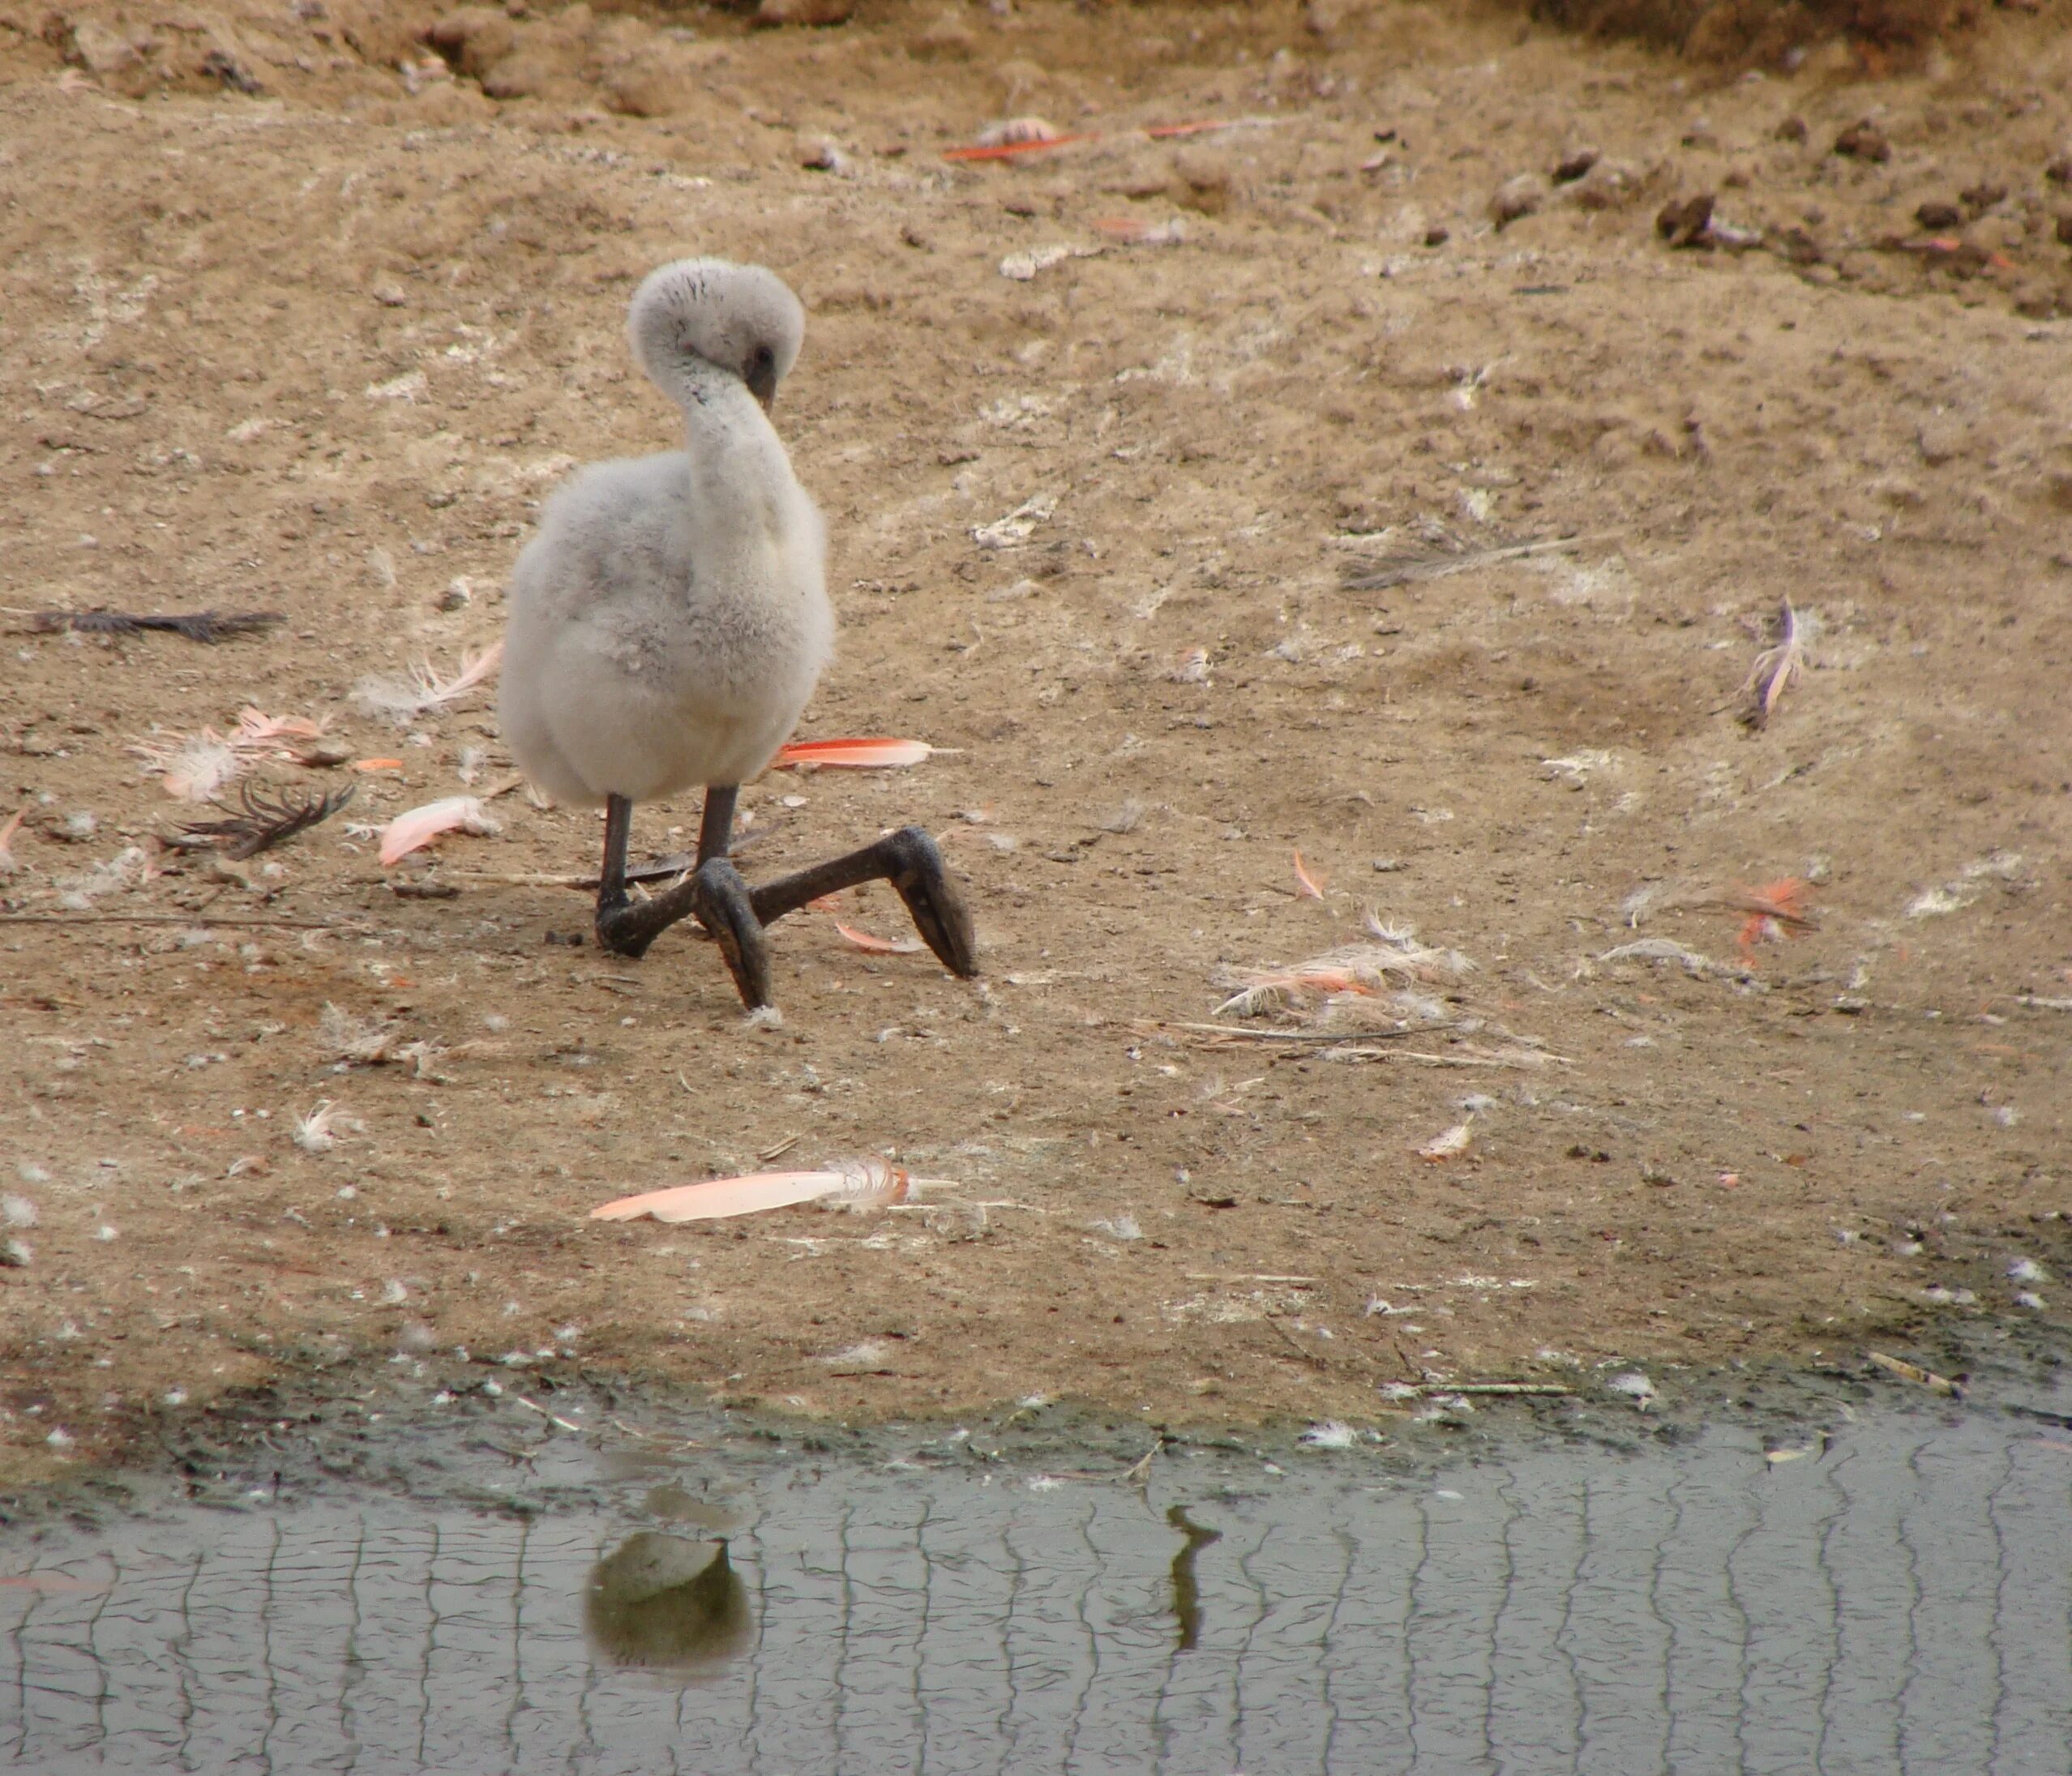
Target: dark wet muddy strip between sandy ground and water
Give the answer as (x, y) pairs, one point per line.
(422, 1431)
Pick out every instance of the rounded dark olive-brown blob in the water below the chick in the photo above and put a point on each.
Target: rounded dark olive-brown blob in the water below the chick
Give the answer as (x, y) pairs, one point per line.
(668, 1603)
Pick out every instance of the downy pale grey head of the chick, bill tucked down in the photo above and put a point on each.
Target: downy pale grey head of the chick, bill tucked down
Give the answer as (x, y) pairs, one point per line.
(737, 318)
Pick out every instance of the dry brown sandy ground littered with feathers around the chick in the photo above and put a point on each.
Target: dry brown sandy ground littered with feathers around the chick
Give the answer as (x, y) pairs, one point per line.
(322, 349)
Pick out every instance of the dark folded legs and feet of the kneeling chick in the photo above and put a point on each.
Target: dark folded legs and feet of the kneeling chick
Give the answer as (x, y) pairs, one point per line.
(735, 913)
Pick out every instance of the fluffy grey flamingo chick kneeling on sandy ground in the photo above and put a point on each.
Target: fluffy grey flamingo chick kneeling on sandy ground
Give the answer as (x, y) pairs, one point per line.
(670, 623)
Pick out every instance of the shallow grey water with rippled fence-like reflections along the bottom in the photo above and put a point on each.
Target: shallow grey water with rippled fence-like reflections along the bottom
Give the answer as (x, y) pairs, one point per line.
(1897, 1599)
